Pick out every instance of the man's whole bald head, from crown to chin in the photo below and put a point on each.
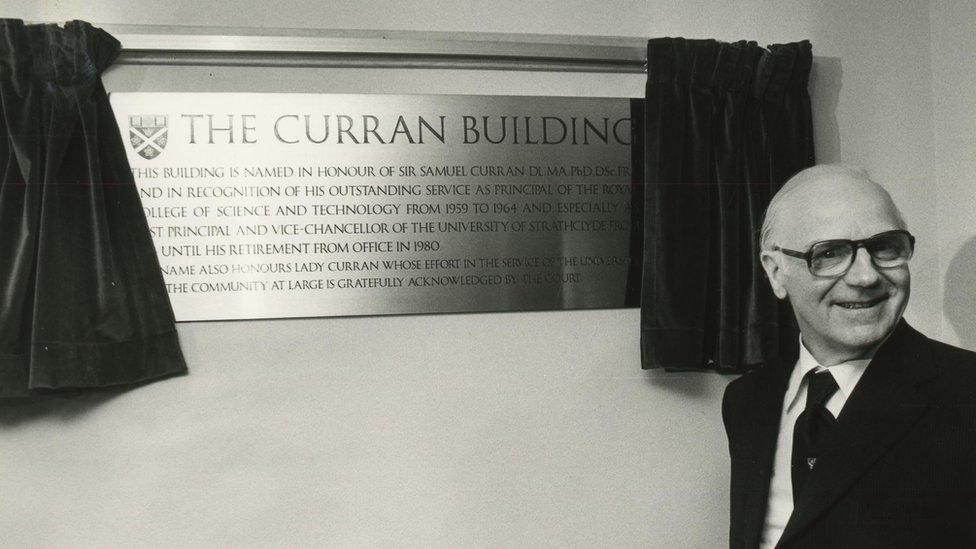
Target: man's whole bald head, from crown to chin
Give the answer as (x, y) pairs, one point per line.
(842, 316)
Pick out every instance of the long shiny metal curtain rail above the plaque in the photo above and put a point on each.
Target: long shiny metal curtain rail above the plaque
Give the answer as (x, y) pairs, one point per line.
(251, 47)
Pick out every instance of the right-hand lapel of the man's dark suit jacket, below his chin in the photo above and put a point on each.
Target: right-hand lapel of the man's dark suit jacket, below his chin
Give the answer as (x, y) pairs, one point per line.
(884, 406)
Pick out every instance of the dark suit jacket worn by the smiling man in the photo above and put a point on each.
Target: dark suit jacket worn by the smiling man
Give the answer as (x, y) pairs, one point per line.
(899, 468)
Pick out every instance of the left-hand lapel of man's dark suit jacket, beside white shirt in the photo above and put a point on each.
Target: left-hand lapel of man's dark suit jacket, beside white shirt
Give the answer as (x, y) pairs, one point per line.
(763, 419)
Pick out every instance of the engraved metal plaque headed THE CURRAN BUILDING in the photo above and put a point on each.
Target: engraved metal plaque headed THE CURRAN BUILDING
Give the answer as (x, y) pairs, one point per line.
(292, 205)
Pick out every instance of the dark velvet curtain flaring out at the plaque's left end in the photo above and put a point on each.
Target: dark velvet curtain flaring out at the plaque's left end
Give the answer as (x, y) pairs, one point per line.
(82, 301)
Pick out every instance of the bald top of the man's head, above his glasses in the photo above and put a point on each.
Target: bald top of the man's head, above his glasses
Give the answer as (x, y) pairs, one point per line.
(819, 192)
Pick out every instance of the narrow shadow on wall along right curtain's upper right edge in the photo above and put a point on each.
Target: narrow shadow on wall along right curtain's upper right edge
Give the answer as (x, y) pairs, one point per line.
(824, 86)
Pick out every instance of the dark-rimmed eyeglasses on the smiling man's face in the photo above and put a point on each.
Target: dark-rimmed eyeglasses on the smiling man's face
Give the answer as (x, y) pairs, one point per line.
(831, 258)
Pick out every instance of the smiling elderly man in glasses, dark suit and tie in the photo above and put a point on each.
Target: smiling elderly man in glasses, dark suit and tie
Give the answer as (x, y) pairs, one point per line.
(866, 436)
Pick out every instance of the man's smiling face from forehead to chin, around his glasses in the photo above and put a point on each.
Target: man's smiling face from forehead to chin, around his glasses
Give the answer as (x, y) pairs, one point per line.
(845, 317)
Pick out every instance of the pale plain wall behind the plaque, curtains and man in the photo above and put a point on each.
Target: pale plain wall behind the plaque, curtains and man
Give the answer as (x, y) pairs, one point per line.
(508, 429)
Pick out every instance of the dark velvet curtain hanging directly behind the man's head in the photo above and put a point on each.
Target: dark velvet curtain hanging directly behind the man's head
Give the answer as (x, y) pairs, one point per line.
(725, 125)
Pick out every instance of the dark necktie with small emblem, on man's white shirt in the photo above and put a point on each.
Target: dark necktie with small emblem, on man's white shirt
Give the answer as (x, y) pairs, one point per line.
(811, 427)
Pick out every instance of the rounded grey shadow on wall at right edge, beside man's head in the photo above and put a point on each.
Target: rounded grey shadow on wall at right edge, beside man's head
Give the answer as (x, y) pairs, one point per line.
(959, 300)
